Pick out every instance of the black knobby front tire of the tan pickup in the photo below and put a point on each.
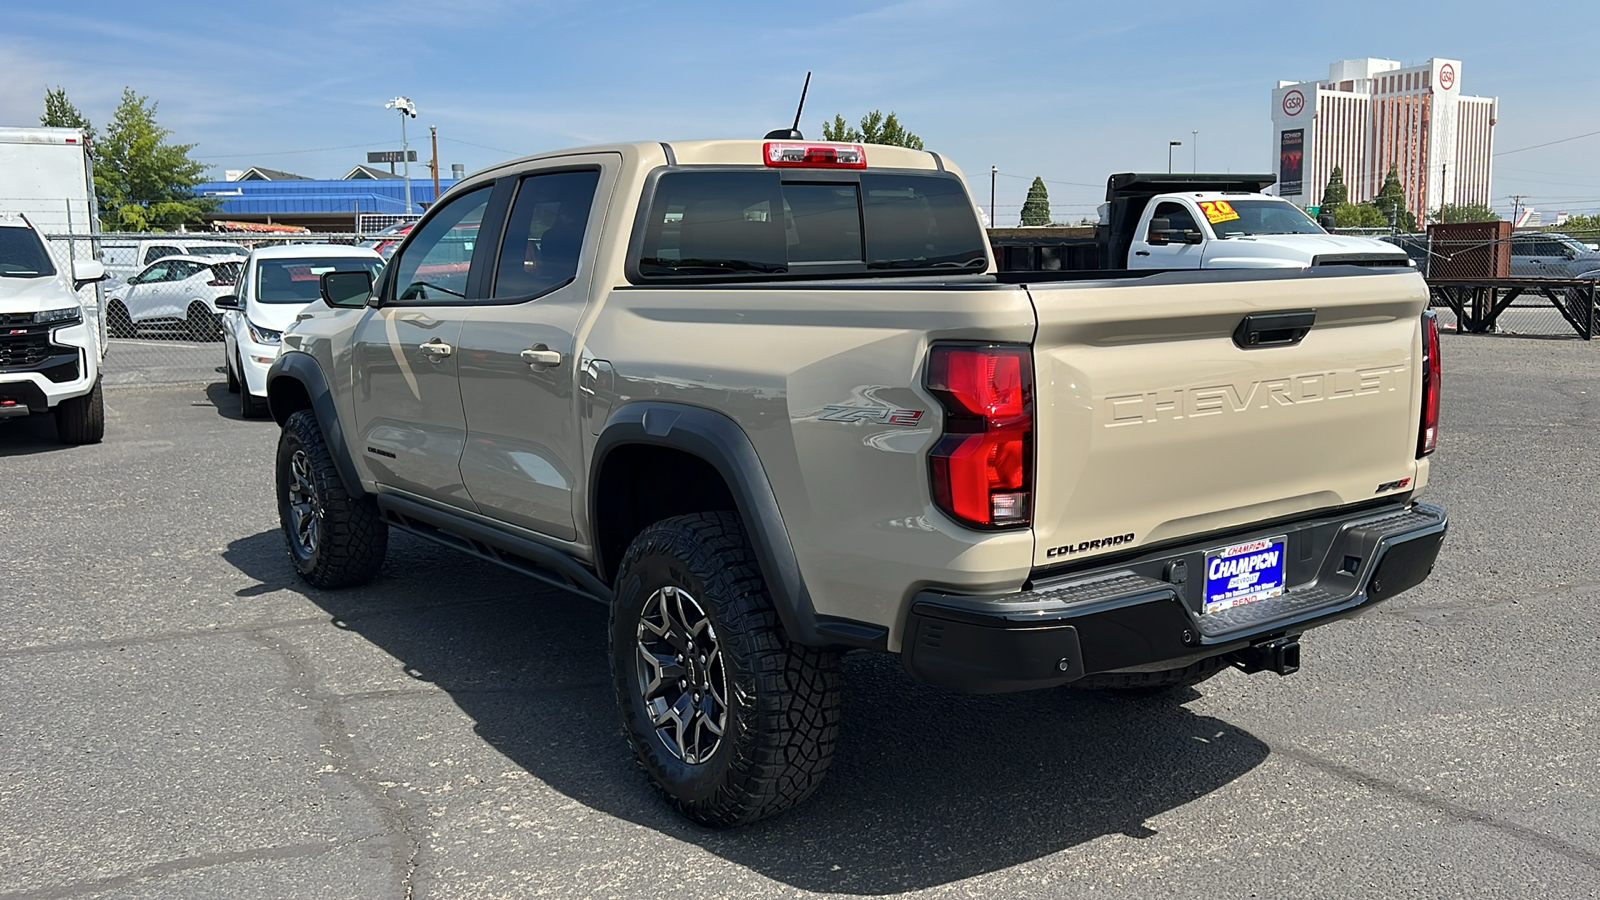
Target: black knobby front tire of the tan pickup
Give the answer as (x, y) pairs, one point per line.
(351, 539)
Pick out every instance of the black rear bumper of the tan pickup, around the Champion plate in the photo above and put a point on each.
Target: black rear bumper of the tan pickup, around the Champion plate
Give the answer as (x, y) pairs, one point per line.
(1143, 614)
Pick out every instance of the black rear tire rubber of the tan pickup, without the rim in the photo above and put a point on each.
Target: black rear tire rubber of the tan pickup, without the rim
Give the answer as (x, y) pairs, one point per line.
(783, 701)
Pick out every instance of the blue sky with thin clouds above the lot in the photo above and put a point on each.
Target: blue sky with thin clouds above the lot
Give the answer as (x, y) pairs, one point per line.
(1066, 90)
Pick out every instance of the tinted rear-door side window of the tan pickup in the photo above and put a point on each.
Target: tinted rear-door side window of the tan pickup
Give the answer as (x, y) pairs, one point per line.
(545, 233)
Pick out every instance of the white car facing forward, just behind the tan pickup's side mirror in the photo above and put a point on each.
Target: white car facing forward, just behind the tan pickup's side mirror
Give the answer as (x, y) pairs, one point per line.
(276, 286)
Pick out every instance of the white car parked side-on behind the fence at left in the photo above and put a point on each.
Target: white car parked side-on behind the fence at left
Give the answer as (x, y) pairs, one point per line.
(174, 294)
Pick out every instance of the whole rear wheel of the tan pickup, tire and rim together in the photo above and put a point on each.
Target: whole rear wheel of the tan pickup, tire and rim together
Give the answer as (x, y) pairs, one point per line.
(729, 720)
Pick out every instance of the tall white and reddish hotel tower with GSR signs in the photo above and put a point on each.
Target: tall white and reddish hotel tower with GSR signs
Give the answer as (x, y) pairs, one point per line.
(1370, 115)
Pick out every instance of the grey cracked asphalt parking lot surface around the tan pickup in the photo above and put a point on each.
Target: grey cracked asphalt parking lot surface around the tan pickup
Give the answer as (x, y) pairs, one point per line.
(182, 718)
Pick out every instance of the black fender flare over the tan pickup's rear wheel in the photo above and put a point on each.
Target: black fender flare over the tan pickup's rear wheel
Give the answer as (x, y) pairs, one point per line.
(721, 443)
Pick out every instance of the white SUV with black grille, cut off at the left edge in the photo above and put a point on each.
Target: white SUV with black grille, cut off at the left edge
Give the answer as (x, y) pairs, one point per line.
(50, 355)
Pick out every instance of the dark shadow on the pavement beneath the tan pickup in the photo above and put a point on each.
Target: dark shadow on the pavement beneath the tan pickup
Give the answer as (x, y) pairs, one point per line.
(927, 787)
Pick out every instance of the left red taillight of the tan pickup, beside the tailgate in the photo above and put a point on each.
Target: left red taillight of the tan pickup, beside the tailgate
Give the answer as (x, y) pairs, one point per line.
(983, 468)
